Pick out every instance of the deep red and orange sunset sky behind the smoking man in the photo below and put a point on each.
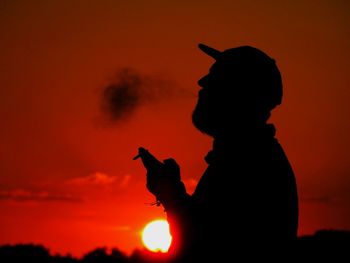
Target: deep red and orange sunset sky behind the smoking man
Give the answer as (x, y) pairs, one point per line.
(68, 180)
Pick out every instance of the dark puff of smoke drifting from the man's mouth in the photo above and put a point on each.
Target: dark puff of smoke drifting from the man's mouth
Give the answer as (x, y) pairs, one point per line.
(130, 89)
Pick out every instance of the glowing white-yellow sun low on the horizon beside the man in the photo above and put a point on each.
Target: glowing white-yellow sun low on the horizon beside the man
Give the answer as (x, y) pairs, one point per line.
(156, 236)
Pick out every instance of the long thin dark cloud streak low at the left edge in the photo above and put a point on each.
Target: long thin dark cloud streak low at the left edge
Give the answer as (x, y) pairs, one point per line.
(21, 195)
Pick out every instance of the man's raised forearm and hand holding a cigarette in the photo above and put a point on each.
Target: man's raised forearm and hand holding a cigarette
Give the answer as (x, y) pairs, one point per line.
(164, 182)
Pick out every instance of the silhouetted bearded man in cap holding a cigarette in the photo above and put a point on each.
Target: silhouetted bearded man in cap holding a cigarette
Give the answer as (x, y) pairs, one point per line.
(245, 203)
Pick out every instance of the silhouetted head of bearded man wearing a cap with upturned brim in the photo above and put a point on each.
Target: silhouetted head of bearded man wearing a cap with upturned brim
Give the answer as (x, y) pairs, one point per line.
(242, 86)
